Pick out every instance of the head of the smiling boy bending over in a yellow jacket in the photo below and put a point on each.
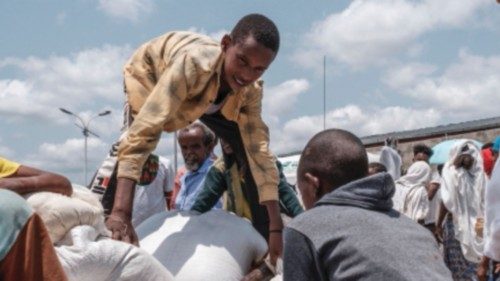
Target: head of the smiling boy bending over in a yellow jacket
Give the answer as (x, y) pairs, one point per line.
(249, 50)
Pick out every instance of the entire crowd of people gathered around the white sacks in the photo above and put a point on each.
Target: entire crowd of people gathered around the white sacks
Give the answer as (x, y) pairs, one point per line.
(351, 219)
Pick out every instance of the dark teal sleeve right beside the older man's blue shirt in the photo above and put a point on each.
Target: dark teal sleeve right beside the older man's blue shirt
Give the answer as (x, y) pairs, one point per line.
(212, 191)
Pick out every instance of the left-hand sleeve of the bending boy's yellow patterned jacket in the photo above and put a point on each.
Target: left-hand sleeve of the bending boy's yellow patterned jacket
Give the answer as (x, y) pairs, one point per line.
(160, 106)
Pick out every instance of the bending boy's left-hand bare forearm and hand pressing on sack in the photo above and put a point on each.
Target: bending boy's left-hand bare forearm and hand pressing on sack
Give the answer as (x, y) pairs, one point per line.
(119, 222)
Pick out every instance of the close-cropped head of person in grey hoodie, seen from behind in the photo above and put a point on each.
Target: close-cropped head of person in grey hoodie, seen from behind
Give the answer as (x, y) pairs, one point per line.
(330, 159)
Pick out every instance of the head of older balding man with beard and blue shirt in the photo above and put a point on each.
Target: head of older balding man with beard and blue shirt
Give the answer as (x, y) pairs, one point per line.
(196, 142)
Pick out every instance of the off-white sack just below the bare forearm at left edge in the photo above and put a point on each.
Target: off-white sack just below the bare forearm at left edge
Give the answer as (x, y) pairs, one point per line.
(61, 213)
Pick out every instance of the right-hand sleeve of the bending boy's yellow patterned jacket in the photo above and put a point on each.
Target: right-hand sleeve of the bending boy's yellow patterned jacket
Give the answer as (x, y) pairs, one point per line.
(255, 135)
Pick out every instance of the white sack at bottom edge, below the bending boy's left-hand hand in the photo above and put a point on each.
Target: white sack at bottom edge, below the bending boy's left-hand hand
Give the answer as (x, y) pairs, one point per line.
(85, 256)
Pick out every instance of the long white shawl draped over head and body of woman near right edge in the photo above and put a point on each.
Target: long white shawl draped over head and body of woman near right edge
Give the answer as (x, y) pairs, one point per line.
(462, 192)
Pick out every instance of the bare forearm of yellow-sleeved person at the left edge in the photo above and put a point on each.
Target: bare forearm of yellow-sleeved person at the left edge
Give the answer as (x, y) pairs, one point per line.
(27, 180)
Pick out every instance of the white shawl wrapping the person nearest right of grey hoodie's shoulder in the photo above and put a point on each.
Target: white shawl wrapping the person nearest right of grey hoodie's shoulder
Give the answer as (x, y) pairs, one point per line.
(411, 196)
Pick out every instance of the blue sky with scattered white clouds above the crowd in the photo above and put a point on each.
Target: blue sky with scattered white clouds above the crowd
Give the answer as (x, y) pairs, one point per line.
(391, 65)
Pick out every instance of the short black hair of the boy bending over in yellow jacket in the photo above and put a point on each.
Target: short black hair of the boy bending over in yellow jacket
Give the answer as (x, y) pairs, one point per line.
(260, 27)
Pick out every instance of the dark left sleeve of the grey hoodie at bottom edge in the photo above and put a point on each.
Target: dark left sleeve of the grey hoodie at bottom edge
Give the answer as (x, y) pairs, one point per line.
(300, 261)
